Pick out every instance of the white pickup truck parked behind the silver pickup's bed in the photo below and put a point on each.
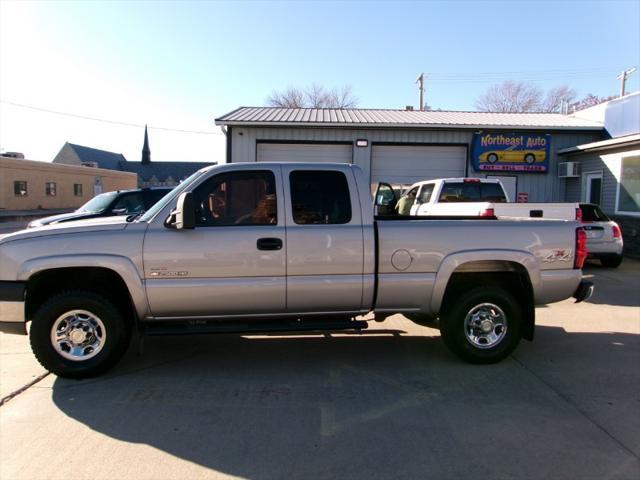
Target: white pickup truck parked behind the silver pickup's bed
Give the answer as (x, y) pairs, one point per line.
(476, 197)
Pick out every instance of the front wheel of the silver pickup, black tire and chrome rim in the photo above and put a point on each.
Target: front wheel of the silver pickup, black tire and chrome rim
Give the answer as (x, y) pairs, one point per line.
(79, 334)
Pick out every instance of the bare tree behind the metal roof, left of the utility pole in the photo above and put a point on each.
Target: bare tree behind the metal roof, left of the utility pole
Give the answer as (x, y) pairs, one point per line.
(315, 96)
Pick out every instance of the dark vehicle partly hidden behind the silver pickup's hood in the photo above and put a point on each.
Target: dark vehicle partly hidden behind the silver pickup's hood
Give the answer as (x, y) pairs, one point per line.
(119, 202)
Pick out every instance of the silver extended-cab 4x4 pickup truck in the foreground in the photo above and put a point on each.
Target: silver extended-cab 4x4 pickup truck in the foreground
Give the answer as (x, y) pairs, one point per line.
(280, 247)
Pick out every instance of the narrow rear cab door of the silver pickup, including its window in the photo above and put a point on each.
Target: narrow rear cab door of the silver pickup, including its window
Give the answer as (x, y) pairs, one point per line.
(325, 245)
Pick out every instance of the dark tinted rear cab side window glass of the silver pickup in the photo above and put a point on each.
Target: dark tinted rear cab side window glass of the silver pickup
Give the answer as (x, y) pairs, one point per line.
(320, 197)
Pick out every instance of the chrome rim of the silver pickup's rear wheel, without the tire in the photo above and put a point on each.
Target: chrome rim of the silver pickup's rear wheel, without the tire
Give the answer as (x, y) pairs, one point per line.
(485, 325)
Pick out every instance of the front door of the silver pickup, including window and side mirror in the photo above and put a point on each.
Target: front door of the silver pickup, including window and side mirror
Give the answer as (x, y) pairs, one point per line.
(233, 261)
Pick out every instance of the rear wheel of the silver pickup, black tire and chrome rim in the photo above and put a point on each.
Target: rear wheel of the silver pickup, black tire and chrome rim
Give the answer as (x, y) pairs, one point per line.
(483, 325)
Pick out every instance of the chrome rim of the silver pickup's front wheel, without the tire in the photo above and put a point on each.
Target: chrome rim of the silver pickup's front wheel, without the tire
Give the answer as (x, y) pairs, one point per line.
(78, 335)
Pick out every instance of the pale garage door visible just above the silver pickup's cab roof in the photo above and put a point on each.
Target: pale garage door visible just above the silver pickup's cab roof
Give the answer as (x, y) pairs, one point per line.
(281, 152)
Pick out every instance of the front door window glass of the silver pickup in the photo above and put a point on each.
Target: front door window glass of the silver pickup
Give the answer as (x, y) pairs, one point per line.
(237, 198)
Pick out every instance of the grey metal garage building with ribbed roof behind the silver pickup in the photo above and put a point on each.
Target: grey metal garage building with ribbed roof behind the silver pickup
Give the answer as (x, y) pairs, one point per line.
(404, 146)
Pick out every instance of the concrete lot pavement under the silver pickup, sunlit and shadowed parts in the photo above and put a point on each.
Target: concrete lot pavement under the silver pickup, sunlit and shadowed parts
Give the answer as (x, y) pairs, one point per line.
(388, 403)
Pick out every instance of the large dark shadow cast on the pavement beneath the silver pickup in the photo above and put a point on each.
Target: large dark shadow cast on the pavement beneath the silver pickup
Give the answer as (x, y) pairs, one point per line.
(368, 406)
